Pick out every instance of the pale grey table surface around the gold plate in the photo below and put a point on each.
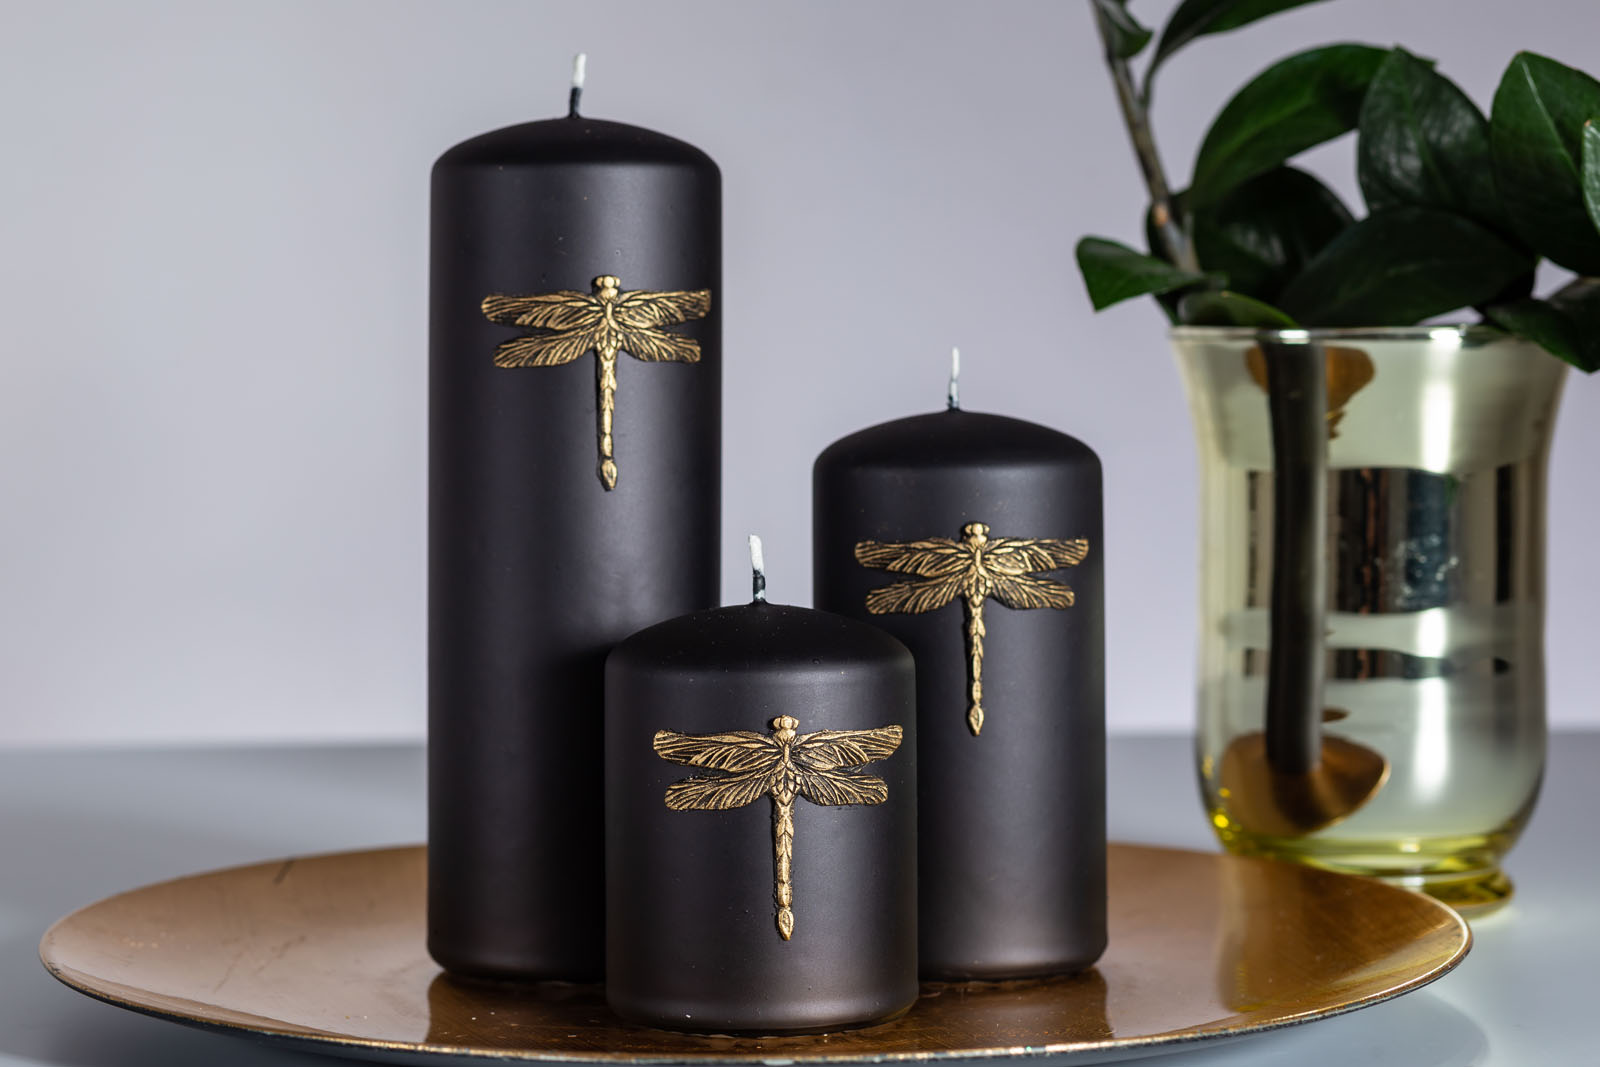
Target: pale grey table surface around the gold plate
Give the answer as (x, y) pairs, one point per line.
(82, 825)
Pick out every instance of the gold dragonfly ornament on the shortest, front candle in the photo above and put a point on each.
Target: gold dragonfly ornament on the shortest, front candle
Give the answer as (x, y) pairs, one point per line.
(785, 767)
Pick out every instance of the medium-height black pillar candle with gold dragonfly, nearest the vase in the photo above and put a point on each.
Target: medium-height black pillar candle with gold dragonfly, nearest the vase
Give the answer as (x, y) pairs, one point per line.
(977, 541)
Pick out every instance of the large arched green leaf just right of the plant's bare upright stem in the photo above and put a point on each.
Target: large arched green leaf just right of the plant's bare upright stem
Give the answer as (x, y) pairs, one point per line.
(1289, 108)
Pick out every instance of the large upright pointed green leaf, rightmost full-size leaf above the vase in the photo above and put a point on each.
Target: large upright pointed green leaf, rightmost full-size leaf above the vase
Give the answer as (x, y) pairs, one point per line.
(1537, 134)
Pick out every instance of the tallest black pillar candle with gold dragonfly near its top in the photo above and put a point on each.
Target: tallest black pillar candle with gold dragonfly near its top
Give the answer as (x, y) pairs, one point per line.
(575, 481)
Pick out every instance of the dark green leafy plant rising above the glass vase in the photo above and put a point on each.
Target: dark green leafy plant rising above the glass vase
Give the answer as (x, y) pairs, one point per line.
(1462, 209)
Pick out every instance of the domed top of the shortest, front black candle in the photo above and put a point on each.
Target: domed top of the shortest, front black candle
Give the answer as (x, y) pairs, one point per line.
(761, 636)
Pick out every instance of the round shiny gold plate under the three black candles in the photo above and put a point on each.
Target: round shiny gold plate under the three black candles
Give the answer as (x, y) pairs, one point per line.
(327, 953)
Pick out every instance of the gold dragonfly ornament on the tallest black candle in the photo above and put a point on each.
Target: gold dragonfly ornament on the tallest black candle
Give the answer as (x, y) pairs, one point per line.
(604, 322)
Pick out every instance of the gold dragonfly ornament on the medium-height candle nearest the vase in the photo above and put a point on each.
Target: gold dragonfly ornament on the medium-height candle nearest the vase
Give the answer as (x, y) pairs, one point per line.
(974, 569)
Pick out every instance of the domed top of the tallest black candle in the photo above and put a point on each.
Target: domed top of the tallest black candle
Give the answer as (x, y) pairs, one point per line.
(572, 140)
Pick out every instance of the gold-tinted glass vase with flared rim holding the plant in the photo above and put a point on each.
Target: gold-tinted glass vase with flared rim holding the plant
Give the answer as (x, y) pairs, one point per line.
(1372, 623)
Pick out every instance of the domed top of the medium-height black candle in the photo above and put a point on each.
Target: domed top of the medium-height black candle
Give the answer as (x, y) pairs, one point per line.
(956, 439)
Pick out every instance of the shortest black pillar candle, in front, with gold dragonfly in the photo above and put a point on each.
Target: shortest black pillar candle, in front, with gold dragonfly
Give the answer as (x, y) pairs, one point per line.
(761, 823)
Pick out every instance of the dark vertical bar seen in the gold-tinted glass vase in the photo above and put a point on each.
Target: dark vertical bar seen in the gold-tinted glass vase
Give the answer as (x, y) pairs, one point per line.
(1298, 404)
